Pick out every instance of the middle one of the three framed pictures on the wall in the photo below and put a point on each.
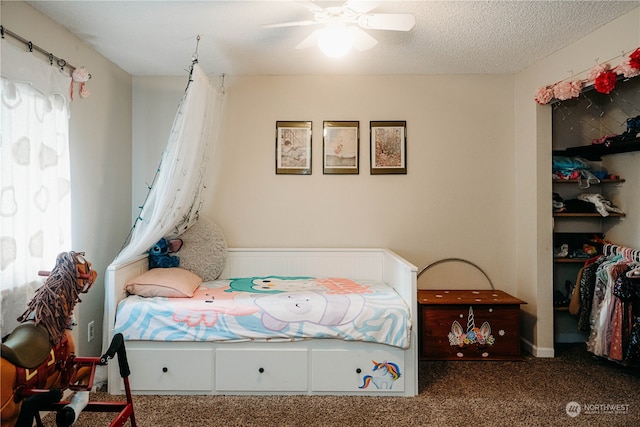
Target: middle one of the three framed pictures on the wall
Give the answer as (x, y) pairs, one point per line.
(341, 147)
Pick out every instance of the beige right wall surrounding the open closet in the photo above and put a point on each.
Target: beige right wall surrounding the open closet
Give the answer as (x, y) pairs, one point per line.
(533, 164)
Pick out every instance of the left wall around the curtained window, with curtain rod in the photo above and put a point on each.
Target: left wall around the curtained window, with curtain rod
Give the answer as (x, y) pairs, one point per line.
(100, 144)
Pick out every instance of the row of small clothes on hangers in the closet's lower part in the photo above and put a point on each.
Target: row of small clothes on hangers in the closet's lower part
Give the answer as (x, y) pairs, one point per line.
(610, 304)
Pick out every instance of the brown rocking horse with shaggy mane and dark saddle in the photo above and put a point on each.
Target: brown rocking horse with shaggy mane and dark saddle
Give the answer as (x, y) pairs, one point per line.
(38, 358)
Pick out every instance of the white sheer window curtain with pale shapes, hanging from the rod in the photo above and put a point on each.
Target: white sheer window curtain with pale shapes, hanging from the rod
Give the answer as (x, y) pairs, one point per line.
(35, 202)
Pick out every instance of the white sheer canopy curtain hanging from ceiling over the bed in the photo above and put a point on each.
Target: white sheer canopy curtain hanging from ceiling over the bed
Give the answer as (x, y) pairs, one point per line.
(175, 196)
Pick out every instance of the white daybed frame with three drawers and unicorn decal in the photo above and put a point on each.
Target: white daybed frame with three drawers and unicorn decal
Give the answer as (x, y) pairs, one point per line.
(317, 367)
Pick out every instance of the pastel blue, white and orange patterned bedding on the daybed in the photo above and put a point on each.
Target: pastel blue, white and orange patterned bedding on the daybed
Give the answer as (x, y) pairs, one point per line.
(271, 308)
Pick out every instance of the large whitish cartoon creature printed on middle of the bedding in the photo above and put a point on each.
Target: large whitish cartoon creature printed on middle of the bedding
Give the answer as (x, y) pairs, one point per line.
(320, 308)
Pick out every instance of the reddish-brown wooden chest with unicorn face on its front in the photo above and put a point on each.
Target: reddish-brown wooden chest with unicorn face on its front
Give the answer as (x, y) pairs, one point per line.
(469, 325)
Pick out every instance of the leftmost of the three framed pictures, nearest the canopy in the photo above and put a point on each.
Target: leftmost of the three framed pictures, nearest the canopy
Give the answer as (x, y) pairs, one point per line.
(293, 148)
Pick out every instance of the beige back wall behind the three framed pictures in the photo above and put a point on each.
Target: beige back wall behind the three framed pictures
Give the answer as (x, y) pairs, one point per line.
(455, 201)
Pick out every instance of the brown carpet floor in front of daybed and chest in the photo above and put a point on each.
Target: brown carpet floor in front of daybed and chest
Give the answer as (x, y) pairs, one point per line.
(533, 392)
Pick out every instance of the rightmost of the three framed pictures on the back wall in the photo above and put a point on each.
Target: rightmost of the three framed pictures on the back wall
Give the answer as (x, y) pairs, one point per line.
(388, 147)
